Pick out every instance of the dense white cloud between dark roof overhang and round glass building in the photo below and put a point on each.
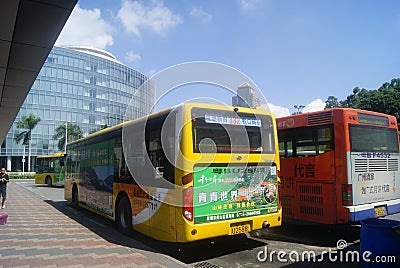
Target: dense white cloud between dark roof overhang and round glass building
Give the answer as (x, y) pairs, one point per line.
(86, 27)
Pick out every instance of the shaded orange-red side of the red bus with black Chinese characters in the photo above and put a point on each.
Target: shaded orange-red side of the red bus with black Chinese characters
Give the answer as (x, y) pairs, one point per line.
(308, 174)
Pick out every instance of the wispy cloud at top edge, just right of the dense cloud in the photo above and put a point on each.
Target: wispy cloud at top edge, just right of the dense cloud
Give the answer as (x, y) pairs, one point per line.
(135, 17)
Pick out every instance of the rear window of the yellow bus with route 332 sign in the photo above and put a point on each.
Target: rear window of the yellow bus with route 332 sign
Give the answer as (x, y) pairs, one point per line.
(230, 132)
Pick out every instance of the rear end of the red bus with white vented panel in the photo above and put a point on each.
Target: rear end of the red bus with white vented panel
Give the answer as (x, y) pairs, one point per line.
(374, 176)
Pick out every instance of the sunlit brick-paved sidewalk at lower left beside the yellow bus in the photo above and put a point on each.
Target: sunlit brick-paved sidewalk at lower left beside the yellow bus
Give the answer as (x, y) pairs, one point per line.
(38, 234)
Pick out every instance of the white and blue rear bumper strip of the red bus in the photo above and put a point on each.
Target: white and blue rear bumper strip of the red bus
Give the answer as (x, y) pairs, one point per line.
(367, 211)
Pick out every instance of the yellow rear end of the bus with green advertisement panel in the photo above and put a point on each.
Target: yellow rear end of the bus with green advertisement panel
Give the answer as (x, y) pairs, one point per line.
(230, 179)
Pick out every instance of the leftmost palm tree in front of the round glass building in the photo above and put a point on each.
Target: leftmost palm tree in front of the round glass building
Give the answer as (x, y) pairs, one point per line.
(27, 122)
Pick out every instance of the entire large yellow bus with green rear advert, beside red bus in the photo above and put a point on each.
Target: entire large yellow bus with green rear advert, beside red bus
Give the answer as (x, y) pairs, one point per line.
(187, 173)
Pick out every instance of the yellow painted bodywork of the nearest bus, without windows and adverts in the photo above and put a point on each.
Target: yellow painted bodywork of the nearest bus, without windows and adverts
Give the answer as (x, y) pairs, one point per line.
(167, 222)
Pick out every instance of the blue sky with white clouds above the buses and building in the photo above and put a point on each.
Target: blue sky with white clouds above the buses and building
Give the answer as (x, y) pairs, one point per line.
(297, 52)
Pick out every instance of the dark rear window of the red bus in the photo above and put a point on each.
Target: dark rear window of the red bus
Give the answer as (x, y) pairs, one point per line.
(373, 139)
